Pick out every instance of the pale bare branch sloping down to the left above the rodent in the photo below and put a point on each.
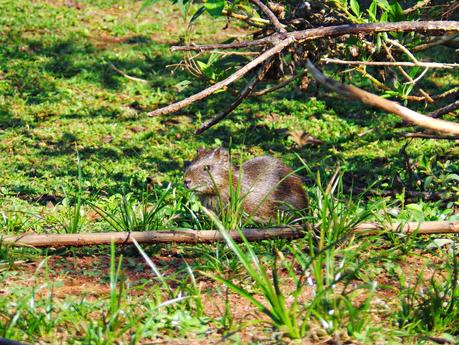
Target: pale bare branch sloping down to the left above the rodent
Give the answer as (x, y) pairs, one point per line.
(235, 76)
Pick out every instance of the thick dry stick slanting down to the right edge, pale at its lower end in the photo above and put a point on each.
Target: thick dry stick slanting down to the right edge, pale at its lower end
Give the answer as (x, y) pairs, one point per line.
(379, 102)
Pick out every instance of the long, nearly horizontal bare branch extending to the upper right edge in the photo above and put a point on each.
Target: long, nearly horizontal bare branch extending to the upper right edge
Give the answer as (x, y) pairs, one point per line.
(331, 31)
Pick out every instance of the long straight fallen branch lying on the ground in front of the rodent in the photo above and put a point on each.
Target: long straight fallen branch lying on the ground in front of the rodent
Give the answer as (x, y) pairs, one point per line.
(209, 236)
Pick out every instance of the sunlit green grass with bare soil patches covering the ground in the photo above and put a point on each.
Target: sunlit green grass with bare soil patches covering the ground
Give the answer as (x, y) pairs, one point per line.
(79, 154)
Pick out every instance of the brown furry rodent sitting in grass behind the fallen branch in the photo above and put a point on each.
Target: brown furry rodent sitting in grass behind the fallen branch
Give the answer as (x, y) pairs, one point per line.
(266, 184)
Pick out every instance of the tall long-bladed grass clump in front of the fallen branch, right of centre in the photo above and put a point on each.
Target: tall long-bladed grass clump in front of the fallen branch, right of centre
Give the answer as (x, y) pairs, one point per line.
(315, 297)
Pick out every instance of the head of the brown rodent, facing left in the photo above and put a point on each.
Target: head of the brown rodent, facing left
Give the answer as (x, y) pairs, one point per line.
(208, 172)
